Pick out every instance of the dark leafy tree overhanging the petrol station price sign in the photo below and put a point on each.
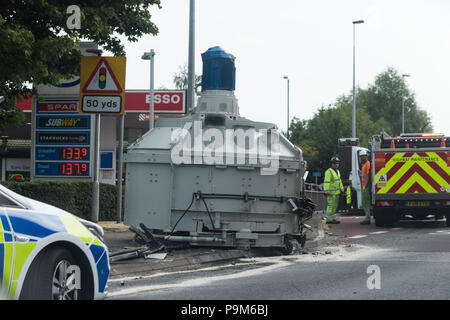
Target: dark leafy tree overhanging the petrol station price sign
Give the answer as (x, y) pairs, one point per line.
(37, 46)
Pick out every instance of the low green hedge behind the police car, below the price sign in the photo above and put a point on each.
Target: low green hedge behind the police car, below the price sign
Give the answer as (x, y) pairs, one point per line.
(72, 196)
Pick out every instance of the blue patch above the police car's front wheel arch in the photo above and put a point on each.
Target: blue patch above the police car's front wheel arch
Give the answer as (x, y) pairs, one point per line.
(35, 224)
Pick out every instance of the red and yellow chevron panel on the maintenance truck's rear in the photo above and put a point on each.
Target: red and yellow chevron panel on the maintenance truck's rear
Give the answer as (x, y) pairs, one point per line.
(412, 172)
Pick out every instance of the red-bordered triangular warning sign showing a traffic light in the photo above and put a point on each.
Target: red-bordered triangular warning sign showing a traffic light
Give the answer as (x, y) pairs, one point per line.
(102, 80)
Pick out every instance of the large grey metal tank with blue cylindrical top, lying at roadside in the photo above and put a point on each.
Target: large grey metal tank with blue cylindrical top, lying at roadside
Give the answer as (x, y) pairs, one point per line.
(213, 177)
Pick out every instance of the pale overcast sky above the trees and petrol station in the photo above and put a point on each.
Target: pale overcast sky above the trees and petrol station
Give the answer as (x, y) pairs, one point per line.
(309, 41)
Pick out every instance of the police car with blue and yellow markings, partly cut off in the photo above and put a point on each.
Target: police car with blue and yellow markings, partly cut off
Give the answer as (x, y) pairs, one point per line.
(48, 253)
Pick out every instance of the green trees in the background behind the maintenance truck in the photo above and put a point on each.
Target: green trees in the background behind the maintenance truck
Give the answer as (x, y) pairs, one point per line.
(377, 108)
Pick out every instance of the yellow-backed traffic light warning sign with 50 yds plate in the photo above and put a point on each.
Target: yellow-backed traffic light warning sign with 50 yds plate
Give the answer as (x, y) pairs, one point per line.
(102, 85)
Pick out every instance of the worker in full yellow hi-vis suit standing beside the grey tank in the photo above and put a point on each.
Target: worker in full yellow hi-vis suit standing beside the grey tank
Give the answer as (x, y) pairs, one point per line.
(333, 187)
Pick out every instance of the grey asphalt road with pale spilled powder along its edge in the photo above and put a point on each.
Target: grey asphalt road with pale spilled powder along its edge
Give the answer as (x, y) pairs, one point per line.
(410, 261)
